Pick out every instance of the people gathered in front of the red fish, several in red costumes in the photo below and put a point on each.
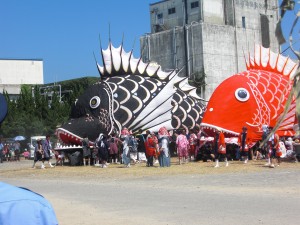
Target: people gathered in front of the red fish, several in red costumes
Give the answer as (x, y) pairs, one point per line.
(271, 148)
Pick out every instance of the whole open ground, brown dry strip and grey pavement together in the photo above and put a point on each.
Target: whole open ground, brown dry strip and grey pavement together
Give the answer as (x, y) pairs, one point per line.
(192, 193)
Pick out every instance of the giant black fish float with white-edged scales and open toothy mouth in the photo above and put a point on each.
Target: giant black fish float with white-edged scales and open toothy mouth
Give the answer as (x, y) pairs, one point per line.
(135, 95)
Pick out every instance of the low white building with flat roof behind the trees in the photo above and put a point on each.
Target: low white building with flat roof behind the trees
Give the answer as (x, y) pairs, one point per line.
(15, 72)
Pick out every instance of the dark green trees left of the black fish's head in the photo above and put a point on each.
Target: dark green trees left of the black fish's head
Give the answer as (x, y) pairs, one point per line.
(36, 113)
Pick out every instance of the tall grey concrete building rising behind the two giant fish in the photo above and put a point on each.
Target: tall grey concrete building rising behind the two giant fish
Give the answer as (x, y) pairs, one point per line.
(208, 37)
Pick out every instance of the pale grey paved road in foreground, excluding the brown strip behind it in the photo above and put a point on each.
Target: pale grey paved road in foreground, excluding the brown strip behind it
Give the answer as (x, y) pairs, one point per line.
(264, 197)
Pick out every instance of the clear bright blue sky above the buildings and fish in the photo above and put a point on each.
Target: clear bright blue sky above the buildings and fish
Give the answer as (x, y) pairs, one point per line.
(65, 33)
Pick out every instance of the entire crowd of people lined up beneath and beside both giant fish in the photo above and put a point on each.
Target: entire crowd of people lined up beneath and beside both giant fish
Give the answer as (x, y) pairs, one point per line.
(158, 147)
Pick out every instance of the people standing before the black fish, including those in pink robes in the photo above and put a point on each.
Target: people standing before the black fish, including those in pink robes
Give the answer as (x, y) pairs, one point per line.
(151, 147)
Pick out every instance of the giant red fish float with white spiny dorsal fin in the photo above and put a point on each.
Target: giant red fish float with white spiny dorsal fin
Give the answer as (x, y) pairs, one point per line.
(253, 98)
